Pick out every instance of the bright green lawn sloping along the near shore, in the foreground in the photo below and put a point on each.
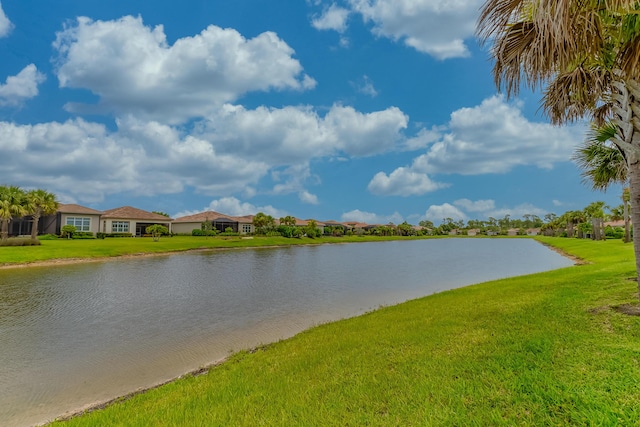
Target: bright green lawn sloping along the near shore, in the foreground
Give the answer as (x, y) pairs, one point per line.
(544, 349)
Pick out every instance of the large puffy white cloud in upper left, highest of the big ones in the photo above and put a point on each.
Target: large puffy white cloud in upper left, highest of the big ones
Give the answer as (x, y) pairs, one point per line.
(133, 69)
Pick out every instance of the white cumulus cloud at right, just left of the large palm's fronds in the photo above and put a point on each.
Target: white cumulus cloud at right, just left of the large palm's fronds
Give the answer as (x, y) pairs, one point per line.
(495, 137)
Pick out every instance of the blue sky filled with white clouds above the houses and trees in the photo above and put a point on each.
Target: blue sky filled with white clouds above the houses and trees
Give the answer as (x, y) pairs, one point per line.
(351, 110)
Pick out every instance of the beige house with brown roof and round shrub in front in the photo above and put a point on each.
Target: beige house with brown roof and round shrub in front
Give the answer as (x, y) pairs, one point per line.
(127, 219)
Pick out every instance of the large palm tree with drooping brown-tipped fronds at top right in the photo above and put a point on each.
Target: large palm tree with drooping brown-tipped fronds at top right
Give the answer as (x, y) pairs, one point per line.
(585, 54)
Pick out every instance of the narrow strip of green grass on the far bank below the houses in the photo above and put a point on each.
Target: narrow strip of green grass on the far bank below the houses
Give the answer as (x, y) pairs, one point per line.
(113, 247)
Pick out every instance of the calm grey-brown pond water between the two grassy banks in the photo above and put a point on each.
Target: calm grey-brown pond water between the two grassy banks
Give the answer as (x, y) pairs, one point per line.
(79, 334)
